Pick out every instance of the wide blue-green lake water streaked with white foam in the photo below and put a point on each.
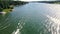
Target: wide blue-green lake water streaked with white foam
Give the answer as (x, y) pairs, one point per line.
(32, 18)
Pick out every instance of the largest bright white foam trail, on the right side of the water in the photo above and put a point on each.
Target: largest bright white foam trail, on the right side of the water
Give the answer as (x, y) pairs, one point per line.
(56, 21)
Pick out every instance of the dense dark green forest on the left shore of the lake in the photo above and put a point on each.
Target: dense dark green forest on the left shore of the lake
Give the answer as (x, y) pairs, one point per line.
(10, 4)
